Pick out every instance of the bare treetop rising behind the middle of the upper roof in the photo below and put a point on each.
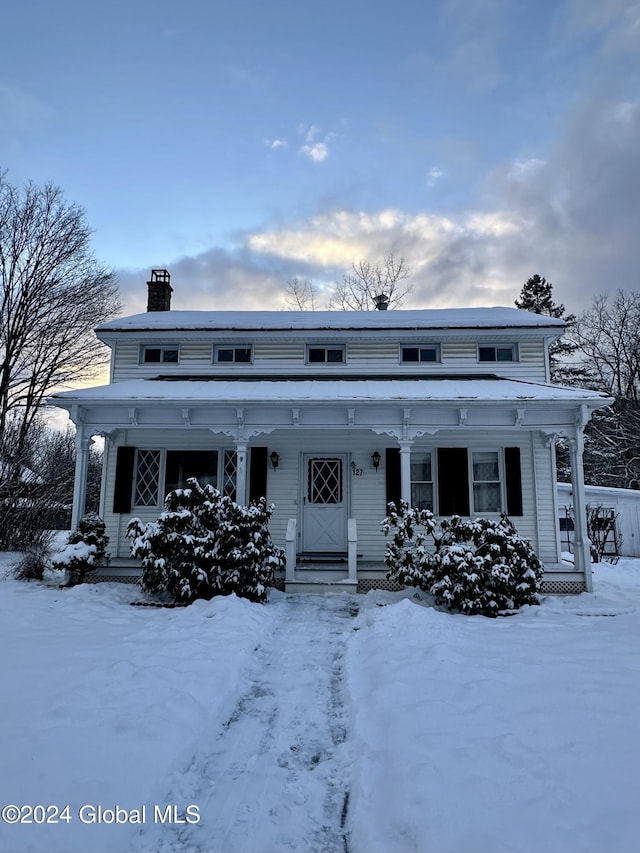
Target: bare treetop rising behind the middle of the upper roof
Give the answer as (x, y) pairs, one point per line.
(359, 288)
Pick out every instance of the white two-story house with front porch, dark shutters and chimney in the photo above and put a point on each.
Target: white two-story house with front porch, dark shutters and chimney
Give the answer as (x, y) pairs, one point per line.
(331, 415)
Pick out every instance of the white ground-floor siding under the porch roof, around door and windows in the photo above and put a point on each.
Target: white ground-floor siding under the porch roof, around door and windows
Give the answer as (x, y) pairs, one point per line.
(366, 492)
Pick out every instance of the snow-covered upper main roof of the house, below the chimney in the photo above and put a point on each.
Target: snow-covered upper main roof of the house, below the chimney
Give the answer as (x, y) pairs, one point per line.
(445, 318)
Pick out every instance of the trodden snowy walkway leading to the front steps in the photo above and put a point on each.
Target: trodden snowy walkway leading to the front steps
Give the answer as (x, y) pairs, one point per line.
(276, 775)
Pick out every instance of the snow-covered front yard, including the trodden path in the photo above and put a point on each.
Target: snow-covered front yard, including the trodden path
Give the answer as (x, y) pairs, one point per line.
(305, 725)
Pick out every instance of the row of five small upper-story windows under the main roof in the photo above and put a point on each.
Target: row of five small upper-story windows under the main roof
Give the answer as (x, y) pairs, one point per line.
(413, 354)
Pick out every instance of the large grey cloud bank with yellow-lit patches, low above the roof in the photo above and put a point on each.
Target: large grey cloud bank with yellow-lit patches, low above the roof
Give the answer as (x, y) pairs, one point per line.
(572, 217)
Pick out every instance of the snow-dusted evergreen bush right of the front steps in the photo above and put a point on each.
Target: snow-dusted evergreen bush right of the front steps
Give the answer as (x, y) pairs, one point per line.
(476, 566)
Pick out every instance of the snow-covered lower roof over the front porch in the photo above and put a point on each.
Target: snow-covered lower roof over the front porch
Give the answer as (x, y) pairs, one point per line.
(138, 391)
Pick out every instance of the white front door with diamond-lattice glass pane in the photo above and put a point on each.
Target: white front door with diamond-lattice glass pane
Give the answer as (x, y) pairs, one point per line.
(324, 521)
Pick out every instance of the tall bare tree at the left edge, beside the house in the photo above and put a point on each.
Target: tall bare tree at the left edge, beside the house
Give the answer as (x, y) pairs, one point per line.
(53, 293)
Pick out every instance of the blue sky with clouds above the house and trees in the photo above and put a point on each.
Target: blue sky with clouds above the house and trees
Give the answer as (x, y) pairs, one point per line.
(240, 143)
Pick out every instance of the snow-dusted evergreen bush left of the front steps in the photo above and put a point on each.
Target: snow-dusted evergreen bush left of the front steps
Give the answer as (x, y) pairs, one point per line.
(204, 544)
